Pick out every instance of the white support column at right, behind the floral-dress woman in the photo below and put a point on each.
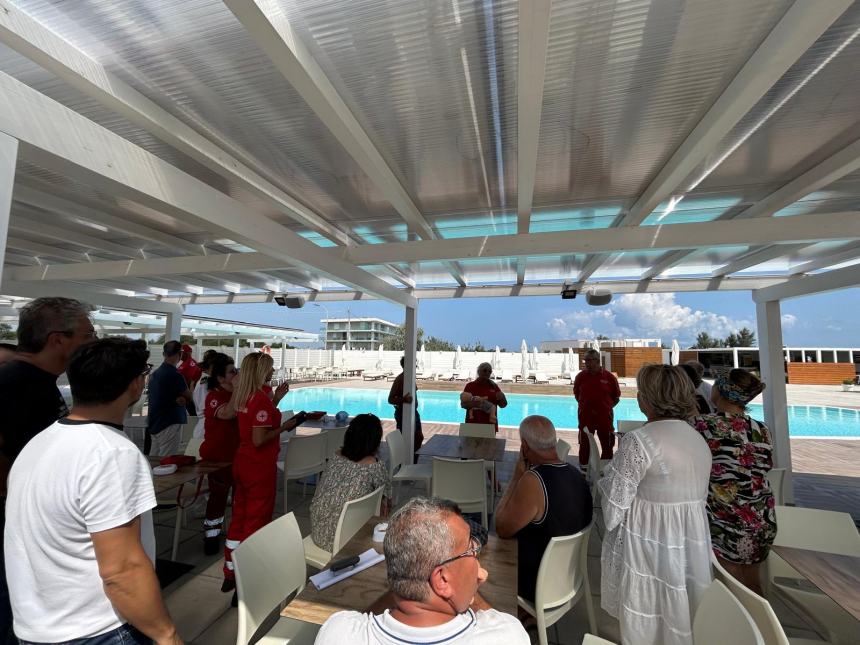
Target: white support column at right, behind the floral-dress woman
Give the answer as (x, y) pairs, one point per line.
(775, 400)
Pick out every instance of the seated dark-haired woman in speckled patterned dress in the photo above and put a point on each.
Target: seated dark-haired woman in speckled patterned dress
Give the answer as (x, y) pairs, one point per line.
(354, 472)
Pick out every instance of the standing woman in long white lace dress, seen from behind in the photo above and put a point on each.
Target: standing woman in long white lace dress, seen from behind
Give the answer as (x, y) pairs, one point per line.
(656, 552)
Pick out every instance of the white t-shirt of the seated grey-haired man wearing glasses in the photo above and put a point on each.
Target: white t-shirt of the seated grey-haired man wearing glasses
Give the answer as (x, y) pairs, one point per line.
(486, 627)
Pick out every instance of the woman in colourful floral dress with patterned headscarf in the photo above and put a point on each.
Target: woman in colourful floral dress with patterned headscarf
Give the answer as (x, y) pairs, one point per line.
(740, 501)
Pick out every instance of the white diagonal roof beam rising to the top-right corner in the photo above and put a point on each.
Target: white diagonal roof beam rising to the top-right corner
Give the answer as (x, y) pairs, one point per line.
(794, 34)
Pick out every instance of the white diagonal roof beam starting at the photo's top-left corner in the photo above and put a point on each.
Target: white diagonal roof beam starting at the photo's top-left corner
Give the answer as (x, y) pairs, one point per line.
(33, 40)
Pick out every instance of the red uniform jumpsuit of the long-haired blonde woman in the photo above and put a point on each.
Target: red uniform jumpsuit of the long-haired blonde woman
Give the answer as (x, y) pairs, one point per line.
(255, 475)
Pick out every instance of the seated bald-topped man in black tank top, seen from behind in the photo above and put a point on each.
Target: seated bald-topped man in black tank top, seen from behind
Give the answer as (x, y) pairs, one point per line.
(546, 498)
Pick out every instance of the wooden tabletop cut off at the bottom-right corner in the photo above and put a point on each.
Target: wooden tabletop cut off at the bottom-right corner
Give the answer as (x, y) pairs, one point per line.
(836, 575)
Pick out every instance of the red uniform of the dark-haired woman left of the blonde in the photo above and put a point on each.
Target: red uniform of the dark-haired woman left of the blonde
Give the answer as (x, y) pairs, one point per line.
(220, 441)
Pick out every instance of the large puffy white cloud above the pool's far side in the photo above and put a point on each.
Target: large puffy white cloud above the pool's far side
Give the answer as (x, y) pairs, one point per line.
(647, 315)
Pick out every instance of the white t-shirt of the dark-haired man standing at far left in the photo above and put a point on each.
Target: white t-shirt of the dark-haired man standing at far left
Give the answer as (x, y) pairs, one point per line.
(72, 479)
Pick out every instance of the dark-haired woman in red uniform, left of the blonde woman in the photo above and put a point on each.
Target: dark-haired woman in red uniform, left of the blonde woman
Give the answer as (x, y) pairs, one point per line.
(220, 441)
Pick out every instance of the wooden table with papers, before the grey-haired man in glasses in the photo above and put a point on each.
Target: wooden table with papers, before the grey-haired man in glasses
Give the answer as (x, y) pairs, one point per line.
(360, 591)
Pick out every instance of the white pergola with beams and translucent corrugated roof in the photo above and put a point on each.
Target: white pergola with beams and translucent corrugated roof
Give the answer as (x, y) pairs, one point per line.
(154, 155)
